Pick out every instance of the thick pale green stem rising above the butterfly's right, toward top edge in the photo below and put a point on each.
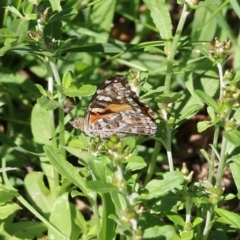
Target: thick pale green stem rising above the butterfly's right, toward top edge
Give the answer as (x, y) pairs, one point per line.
(171, 55)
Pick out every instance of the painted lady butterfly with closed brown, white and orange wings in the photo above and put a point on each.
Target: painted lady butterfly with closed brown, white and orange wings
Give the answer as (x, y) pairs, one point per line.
(116, 109)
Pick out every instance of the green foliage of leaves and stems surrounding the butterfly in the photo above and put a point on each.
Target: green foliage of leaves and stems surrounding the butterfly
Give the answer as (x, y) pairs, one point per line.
(77, 187)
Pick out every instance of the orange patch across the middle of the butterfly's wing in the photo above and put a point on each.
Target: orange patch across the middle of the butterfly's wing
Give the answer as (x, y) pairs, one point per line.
(109, 110)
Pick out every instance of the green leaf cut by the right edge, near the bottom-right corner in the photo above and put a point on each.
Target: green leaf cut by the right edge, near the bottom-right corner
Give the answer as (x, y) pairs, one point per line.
(228, 217)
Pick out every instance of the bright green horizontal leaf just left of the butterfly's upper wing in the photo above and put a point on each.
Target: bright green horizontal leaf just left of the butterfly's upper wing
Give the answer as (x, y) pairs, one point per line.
(84, 91)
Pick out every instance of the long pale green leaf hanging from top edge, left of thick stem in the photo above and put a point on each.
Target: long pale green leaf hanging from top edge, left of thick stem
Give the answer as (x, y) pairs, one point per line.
(161, 18)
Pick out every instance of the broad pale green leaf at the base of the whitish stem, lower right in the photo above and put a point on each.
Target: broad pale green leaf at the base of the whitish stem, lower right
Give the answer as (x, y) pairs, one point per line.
(156, 188)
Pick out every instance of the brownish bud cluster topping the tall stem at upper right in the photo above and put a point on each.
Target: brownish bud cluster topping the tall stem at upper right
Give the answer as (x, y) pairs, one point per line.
(221, 49)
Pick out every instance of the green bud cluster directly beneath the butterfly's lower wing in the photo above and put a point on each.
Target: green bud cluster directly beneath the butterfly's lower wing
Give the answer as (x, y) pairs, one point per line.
(116, 151)
